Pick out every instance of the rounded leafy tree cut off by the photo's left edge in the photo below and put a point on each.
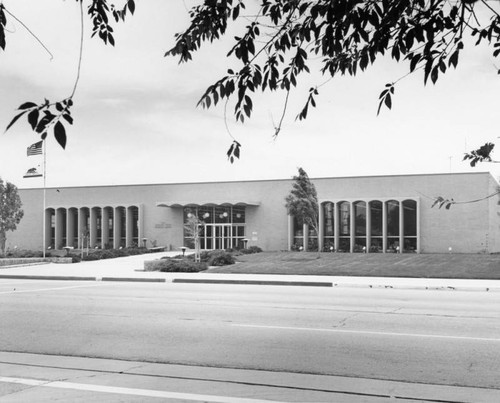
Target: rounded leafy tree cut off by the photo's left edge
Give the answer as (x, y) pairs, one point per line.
(10, 211)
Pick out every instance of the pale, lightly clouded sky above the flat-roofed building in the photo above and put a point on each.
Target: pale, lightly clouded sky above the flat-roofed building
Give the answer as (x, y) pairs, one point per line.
(136, 119)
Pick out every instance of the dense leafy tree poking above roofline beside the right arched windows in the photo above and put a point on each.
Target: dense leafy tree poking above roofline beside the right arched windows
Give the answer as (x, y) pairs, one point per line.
(302, 202)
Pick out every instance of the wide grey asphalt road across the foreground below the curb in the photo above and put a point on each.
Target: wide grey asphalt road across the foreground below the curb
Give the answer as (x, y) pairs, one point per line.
(284, 336)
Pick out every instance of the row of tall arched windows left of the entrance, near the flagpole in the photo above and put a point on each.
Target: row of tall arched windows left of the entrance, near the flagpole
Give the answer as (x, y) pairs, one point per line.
(94, 227)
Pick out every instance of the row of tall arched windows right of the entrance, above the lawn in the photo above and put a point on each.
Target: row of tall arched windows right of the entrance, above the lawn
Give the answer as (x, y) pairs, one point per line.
(362, 226)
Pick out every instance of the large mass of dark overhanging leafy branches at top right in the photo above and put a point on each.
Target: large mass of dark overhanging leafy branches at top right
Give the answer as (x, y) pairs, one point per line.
(348, 37)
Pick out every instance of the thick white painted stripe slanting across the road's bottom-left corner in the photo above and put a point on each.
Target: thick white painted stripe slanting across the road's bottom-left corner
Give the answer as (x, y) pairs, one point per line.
(132, 391)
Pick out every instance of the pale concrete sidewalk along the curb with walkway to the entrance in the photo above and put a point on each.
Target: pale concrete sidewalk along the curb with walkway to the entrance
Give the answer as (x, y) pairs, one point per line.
(130, 269)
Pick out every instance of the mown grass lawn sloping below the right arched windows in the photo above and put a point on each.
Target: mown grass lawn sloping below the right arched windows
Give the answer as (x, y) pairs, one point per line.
(478, 266)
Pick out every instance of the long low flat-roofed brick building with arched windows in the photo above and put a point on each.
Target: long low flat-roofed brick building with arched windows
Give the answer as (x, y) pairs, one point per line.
(370, 214)
